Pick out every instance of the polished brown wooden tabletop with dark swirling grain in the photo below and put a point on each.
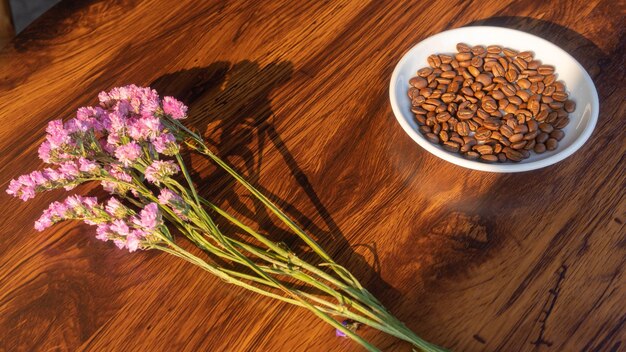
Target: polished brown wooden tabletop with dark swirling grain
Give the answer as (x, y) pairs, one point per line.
(295, 95)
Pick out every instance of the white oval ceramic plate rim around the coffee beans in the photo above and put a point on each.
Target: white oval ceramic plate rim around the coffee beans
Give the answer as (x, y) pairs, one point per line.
(579, 85)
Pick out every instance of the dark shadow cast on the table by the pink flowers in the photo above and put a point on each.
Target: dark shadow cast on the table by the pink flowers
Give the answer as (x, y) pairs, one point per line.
(230, 104)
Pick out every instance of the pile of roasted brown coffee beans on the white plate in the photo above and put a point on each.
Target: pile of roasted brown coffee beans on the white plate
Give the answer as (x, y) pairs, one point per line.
(491, 104)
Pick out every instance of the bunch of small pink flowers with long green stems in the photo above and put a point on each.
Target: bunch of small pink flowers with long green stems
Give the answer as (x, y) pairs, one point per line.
(131, 145)
